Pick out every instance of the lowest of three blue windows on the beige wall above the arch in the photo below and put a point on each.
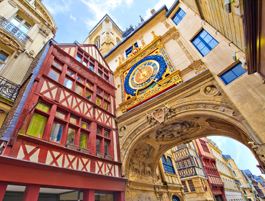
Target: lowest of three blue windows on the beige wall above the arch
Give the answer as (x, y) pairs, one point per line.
(232, 73)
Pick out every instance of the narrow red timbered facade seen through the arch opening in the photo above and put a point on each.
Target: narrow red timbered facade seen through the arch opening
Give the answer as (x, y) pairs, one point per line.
(209, 165)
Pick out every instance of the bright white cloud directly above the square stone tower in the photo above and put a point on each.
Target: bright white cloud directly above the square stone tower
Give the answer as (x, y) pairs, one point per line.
(100, 7)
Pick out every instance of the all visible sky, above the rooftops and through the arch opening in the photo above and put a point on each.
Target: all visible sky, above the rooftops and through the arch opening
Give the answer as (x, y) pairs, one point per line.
(75, 18)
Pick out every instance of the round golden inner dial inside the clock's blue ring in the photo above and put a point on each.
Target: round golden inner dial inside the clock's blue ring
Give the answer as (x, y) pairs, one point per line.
(144, 74)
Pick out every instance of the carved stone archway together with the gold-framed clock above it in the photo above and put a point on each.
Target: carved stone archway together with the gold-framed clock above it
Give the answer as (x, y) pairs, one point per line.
(161, 111)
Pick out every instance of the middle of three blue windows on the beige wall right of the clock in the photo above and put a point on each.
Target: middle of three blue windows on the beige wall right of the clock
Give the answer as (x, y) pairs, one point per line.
(204, 42)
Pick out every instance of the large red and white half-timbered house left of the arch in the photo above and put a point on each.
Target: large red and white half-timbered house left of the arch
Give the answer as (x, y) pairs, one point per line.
(68, 122)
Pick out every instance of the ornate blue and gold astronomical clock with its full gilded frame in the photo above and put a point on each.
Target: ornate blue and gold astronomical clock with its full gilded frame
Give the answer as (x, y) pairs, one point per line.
(146, 73)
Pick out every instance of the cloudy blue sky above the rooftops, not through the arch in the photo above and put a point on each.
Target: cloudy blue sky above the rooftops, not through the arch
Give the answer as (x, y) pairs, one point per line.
(75, 18)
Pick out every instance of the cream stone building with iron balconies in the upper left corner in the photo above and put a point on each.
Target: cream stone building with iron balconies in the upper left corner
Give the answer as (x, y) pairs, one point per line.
(25, 27)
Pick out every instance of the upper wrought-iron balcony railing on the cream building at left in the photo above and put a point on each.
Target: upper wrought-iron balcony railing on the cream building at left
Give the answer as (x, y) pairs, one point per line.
(13, 30)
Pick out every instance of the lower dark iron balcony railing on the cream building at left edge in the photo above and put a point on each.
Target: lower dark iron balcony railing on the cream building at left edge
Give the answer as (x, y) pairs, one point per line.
(8, 89)
